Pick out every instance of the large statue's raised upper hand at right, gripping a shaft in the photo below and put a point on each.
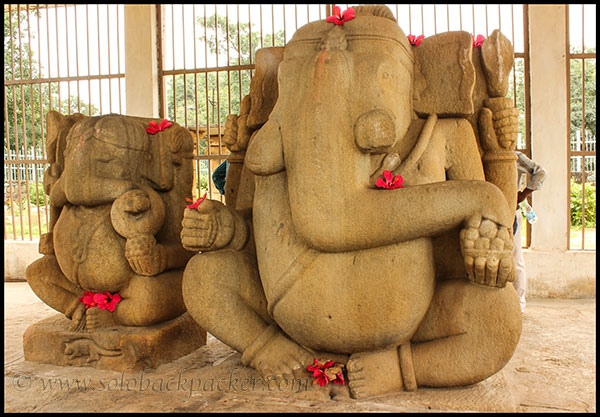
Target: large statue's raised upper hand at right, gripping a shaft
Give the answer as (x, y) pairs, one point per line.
(499, 125)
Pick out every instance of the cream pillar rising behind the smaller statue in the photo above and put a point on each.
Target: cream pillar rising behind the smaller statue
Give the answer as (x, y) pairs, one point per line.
(141, 64)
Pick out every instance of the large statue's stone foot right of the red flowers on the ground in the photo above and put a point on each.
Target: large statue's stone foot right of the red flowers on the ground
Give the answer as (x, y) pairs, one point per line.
(374, 373)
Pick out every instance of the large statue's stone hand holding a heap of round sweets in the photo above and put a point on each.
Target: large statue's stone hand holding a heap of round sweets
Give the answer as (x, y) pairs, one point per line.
(487, 250)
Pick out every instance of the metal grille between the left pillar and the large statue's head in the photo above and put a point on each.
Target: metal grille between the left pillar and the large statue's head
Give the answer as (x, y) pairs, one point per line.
(207, 64)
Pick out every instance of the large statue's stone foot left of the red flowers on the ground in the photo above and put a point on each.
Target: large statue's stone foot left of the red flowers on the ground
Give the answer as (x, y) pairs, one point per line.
(274, 355)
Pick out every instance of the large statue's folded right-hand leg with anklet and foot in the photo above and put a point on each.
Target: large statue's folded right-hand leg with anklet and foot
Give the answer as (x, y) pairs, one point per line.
(468, 334)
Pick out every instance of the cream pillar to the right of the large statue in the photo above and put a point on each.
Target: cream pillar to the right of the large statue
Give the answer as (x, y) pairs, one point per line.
(547, 45)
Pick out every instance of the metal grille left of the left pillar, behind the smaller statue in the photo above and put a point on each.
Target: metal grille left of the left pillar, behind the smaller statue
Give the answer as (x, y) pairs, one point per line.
(56, 57)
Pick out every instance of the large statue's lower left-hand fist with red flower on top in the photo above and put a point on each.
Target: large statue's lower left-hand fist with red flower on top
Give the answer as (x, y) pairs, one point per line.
(209, 227)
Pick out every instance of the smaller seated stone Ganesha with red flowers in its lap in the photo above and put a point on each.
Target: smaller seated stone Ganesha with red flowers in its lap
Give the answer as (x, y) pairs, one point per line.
(117, 187)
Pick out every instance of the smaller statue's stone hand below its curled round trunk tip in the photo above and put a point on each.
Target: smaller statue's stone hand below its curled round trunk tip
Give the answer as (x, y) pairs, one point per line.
(145, 256)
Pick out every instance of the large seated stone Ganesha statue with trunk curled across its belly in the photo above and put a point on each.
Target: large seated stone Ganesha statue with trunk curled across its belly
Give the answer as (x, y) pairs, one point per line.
(406, 286)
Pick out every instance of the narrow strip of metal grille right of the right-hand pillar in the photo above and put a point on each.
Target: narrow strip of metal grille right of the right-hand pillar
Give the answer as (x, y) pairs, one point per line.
(581, 116)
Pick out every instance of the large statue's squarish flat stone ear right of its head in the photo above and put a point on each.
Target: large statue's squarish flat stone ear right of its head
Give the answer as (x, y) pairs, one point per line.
(444, 75)
